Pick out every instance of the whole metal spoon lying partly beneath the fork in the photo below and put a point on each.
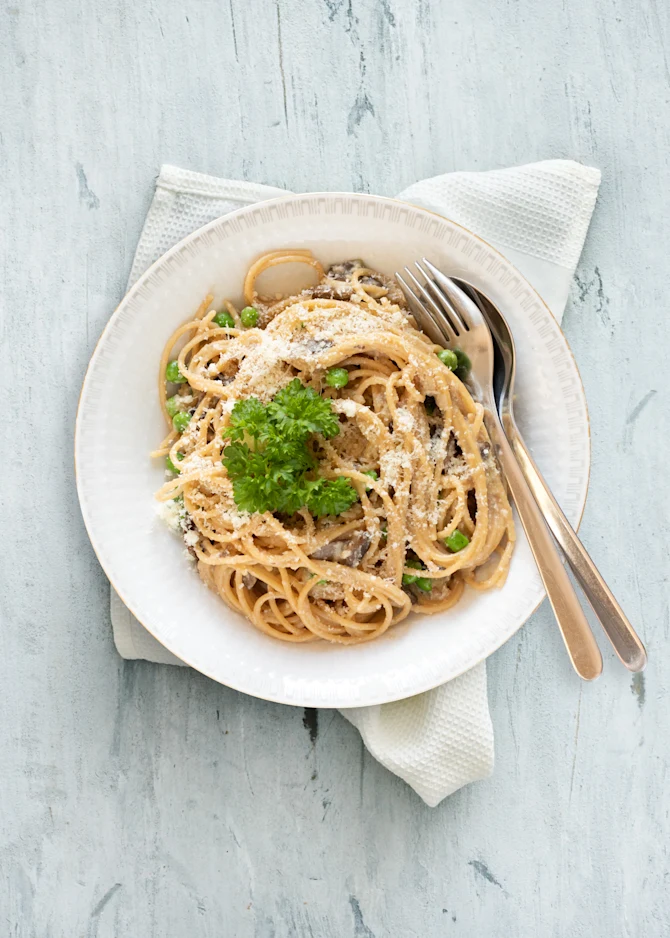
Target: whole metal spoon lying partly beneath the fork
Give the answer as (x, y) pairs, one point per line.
(616, 626)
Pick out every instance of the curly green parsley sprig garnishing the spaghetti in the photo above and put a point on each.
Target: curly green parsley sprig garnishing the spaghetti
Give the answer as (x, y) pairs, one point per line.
(273, 473)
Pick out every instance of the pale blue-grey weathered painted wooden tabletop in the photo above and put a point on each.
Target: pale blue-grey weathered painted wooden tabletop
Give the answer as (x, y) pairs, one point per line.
(143, 801)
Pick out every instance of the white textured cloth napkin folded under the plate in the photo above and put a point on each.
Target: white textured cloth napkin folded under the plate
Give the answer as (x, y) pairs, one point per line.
(537, 216)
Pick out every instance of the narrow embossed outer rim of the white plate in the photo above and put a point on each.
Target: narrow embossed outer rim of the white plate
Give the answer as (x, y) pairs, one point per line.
(137, 286)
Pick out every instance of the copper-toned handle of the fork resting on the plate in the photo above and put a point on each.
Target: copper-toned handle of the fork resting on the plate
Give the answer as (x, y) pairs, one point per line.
(577, 635)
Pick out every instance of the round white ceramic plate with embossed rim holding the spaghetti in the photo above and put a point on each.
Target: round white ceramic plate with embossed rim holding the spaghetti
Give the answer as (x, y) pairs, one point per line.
(119, 421)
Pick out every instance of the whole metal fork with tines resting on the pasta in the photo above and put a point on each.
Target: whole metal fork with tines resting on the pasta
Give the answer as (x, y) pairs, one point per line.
(450, 318)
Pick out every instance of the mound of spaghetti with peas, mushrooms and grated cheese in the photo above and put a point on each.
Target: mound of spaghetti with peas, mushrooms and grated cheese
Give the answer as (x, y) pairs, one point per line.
(430, 514)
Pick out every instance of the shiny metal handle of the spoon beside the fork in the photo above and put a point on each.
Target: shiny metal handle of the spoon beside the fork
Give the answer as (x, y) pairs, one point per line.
(616, 626)
